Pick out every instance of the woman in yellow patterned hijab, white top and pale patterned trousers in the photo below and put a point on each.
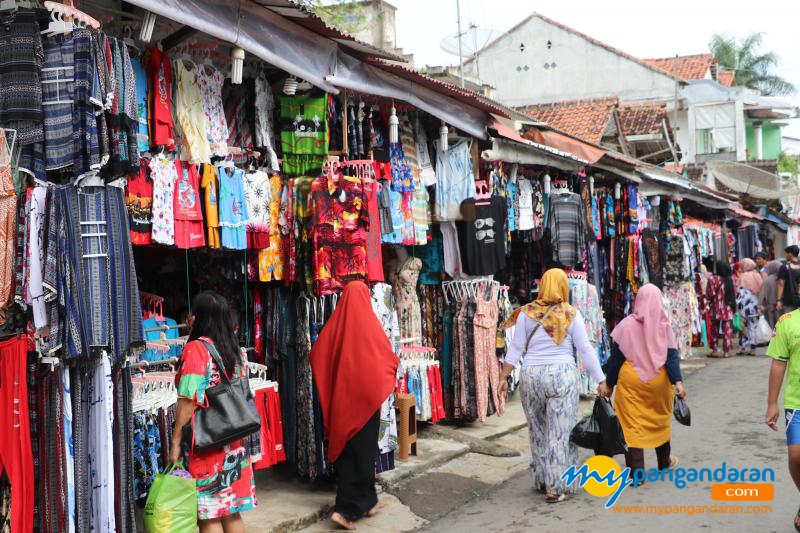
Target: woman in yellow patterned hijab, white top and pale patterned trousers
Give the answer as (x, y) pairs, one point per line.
(546, 331)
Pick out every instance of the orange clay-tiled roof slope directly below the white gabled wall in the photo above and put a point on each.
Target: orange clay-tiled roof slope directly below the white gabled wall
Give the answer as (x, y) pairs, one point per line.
(586, 119)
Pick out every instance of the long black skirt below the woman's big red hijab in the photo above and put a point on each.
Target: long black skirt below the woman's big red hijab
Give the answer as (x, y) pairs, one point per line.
(355, 472)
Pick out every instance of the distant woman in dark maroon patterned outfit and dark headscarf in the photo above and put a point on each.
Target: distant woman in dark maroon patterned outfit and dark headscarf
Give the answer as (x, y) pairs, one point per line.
(721, 297)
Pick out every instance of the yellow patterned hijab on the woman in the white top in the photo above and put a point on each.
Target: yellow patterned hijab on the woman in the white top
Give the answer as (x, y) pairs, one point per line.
(553, 301)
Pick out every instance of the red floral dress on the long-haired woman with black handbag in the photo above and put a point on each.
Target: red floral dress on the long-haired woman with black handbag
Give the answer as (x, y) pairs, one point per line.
(225, 484)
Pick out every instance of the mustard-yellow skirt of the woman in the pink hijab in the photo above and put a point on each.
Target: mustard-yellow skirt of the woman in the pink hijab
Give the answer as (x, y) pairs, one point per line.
(644, 409)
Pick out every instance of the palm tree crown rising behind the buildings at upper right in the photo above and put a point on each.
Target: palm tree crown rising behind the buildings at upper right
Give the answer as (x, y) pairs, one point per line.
(753, 69)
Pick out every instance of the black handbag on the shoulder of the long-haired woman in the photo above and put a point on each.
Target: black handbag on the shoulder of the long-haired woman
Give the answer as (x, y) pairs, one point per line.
(230, 415)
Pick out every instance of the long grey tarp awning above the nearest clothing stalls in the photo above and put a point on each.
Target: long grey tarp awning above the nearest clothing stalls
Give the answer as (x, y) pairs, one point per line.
(315, 58)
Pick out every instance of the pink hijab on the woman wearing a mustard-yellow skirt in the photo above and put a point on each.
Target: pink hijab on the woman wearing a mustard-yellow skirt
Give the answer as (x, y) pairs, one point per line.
(644, 336)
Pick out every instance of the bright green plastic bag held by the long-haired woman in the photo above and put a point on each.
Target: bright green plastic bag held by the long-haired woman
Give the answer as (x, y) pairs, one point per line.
(171, 504)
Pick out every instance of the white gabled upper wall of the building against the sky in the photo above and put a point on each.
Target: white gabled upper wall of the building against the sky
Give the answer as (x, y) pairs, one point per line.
(525, 71)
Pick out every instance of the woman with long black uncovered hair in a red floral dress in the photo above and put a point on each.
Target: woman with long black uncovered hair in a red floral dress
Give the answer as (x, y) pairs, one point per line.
(225, 485)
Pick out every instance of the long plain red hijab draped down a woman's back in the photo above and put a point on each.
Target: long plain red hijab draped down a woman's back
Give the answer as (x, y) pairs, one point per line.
(354, 367)
